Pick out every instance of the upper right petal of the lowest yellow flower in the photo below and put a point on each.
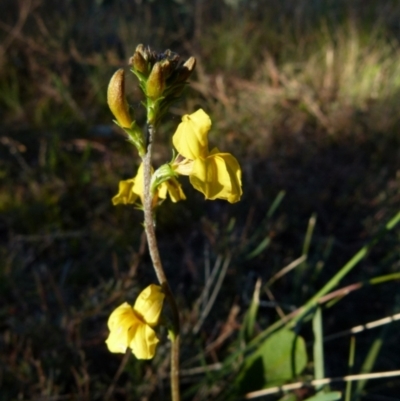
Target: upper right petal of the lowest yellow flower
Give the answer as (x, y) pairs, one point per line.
(149, 304)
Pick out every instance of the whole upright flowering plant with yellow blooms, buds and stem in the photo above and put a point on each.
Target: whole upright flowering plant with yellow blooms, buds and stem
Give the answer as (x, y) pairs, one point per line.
(217, 175)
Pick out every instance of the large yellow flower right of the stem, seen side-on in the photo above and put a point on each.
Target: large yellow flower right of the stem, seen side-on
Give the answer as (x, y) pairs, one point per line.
(217, 175)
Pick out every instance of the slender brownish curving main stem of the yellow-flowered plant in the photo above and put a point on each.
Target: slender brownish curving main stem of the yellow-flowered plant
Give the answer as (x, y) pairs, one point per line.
(155, 257)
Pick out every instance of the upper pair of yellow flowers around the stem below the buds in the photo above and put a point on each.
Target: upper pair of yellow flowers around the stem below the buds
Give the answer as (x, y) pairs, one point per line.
(217, 175)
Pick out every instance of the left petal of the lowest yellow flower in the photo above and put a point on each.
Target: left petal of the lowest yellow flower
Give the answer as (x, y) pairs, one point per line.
(121, 323)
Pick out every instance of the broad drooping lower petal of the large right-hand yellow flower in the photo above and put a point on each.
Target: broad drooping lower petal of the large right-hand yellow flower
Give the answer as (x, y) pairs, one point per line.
(218, 177)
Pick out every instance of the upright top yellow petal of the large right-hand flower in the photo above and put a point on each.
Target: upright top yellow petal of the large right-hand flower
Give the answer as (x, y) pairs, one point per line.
(190, 138)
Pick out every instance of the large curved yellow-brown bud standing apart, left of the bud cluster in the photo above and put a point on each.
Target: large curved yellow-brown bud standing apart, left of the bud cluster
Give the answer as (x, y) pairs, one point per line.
(116, 99)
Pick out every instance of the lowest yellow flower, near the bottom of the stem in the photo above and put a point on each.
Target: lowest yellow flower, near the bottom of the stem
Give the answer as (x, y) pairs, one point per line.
(133, 327)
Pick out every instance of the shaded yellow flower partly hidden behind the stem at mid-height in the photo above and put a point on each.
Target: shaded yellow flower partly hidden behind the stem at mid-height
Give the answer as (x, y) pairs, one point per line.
(133, 189)
